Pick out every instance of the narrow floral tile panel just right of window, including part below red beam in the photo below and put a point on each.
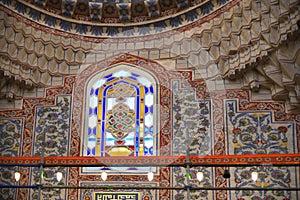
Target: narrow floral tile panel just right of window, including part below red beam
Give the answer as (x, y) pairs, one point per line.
(192, 117)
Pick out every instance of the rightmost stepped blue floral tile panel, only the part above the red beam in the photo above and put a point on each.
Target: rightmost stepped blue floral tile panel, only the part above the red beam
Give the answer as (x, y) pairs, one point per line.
(256, 133)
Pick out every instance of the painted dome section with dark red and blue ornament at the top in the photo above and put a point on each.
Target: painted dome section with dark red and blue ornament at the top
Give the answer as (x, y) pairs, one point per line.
(121, 18)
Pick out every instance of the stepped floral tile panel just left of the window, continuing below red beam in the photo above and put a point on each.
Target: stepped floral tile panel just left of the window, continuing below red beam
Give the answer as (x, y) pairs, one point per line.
(52, 128)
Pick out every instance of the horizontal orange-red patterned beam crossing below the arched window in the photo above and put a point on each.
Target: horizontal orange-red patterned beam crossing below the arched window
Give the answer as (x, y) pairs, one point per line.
(223, 160)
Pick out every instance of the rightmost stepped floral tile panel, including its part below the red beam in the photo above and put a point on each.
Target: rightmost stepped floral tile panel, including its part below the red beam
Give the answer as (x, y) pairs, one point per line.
(255, 132)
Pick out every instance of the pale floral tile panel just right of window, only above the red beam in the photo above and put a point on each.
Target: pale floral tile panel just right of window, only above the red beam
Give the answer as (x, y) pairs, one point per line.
(193, 117)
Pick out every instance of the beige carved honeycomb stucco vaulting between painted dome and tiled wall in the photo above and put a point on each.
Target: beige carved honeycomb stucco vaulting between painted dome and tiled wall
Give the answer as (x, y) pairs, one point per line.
(256, 42)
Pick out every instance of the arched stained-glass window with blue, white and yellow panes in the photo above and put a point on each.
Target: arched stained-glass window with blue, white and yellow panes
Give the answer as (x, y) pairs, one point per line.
(121, 113)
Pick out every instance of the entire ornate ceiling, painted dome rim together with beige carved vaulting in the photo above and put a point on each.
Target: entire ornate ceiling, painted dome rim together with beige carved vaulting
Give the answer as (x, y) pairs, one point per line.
(255, 43)
